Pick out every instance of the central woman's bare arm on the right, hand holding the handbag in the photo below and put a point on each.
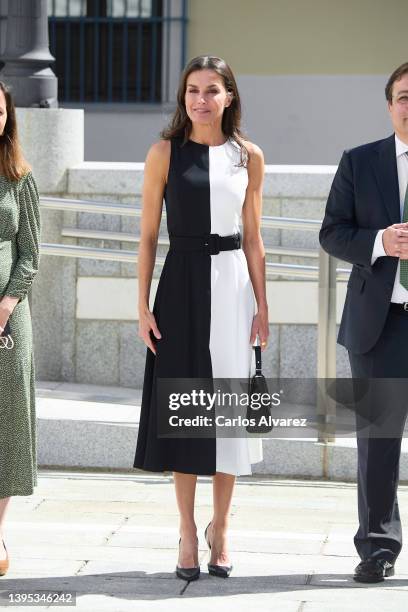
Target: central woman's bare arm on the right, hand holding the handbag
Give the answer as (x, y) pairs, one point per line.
(252, 241)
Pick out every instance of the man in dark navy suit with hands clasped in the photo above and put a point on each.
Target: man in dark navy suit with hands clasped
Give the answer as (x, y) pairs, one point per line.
(365, 225)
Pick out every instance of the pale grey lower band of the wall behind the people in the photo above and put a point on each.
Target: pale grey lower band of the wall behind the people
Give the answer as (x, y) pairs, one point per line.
(295, 119)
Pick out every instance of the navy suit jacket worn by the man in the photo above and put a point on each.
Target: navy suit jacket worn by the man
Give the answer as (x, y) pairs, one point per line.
(364, 198)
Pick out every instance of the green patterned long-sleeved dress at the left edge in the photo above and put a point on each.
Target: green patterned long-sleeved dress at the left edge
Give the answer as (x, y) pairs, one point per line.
(19, 257)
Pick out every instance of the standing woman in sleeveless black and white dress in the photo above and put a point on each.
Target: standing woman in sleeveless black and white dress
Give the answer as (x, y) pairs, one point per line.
(204, 320)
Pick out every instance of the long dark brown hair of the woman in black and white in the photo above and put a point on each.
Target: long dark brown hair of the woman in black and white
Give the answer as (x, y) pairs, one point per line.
(180, 125)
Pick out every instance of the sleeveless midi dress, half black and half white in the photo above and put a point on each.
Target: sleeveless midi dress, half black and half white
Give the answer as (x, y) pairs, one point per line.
(204, 307)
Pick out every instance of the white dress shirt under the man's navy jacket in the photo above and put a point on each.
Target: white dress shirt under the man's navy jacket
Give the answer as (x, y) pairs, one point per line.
(399, 293)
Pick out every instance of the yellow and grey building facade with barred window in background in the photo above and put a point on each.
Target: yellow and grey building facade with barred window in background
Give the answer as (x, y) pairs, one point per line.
(311, 72)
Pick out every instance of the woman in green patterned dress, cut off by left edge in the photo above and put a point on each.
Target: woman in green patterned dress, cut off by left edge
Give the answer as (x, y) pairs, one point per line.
(19, 257)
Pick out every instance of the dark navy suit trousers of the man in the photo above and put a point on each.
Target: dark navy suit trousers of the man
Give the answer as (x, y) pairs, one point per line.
(380, 421)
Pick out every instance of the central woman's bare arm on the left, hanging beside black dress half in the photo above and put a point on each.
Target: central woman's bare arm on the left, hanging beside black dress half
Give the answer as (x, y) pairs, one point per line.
(155, 177)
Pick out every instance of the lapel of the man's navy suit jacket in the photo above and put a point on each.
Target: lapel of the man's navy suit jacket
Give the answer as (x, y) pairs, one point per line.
(385, 167)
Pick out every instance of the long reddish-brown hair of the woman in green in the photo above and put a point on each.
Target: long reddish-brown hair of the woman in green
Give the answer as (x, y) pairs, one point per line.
(12, 162)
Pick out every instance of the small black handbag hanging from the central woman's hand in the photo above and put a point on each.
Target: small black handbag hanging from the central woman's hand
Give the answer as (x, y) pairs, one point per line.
(257, 389)
